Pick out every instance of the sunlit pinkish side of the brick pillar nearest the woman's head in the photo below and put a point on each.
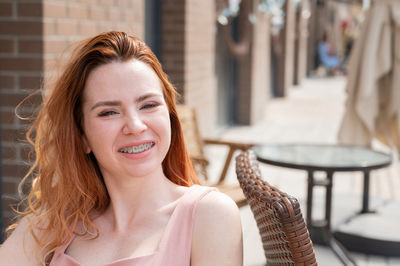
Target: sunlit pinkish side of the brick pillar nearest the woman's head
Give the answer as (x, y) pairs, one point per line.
(200, 84)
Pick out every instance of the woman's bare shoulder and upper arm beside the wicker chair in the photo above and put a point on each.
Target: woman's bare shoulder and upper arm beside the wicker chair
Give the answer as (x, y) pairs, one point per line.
(217, 235)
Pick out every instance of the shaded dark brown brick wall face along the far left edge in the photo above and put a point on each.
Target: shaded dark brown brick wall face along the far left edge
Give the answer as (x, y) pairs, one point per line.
(21, 66)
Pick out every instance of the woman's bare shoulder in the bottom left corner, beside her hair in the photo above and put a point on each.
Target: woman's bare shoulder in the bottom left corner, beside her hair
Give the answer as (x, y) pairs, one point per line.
(19, 248)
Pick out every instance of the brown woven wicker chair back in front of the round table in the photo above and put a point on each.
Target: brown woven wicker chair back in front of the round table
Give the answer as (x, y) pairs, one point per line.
(284, 234)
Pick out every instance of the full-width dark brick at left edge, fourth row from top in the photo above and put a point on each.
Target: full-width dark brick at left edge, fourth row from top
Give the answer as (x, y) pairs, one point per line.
(21, 64)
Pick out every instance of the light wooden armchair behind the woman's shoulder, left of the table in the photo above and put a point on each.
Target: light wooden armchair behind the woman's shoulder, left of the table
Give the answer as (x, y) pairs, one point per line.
(195, 144)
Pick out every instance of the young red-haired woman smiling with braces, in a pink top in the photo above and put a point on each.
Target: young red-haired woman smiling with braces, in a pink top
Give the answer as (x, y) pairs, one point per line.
(112, 180)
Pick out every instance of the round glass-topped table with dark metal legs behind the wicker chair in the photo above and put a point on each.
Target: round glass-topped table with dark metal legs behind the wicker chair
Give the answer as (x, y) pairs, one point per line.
(329, 159)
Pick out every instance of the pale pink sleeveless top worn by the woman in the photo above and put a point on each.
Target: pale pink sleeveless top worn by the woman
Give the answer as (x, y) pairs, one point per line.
(175, 245)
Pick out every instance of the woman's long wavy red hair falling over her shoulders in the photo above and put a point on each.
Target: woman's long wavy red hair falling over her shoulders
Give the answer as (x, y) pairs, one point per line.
(67, 186)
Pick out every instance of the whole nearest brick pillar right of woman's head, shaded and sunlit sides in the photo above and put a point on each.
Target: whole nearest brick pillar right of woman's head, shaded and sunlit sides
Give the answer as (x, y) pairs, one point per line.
(188, 47)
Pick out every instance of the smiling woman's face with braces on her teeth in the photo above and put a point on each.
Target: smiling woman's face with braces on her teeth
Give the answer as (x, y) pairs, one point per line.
(125, 119)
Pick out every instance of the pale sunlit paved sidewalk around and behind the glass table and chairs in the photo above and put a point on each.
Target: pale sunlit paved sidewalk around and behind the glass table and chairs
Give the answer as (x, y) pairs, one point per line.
(311, 113)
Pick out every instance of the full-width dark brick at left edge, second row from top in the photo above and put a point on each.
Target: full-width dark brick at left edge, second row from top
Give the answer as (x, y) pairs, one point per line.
(25, 28)
